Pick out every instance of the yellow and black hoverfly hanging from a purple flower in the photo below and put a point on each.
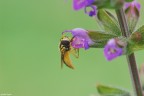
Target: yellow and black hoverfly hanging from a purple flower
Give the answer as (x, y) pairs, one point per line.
(65, 49)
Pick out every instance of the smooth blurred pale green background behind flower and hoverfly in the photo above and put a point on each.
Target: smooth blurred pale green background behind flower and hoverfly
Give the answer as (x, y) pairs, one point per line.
(30, 60)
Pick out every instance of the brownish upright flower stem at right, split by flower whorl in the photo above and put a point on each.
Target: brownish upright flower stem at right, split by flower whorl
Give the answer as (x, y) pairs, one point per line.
(130, 58)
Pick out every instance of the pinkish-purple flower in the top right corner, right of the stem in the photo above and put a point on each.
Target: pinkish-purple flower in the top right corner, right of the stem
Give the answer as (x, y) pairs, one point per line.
(132, 8)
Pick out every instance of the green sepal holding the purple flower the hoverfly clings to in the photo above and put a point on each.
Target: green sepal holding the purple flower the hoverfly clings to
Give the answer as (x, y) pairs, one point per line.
(99, 38)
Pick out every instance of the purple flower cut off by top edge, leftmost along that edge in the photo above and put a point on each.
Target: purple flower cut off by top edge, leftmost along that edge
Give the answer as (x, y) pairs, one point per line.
(79, 4)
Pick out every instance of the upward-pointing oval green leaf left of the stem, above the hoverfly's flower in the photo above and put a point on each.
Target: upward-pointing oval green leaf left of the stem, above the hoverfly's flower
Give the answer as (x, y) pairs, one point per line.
(109, 23)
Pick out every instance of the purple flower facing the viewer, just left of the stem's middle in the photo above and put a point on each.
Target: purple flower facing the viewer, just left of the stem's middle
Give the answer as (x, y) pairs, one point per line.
(112, 50)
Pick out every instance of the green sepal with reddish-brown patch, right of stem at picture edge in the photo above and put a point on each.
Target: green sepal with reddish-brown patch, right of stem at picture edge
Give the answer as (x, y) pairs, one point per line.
(136, 41)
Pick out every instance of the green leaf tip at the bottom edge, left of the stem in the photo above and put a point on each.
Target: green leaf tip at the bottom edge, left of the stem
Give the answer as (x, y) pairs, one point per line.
(111, 91)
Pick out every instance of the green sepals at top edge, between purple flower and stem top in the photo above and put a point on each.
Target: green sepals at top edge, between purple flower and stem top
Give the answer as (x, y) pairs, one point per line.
(110, 4)
